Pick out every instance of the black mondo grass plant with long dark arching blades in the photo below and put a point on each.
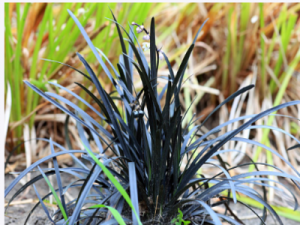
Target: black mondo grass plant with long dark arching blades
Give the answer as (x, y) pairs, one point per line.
(143, 183)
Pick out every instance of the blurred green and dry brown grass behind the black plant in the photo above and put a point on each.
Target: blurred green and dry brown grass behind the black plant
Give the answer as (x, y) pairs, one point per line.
(241, 43)
